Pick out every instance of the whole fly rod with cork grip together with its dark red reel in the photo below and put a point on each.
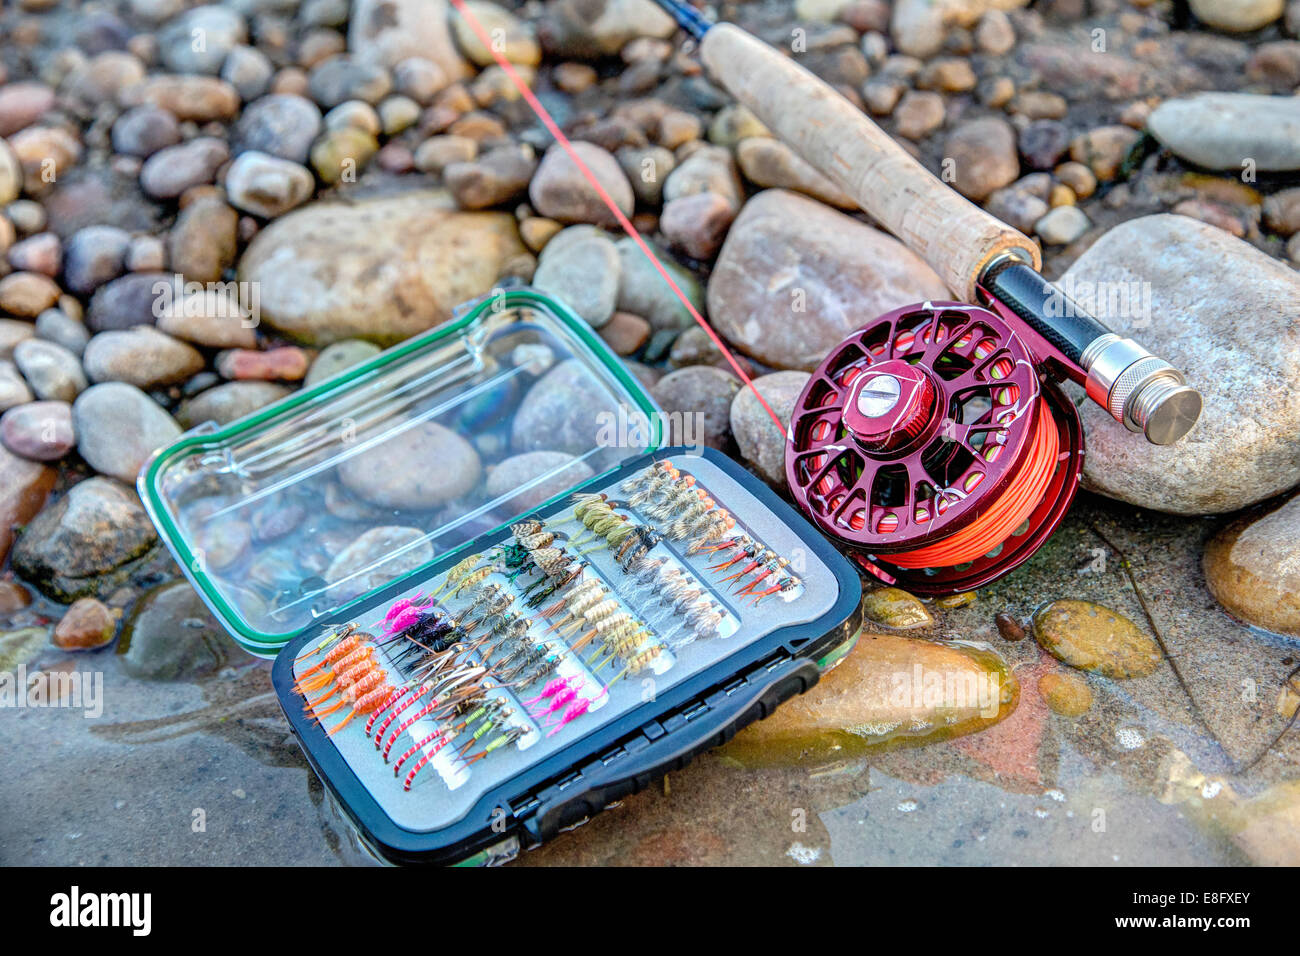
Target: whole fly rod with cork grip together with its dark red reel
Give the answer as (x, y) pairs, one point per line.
(935, 442)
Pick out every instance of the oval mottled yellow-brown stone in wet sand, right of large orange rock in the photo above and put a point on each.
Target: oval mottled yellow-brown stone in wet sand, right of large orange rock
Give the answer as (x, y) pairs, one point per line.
(1097, 639)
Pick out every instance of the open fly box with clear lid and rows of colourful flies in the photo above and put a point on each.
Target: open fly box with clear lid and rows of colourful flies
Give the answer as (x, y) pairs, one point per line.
(496, 603)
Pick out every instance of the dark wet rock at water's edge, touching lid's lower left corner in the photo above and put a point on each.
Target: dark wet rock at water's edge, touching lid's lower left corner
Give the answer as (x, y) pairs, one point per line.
(171, 635)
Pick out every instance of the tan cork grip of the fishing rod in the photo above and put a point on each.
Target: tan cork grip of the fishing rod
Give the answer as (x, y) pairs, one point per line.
(951, 233)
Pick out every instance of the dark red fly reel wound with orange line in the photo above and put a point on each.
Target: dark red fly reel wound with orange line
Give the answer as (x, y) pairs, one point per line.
(930, 443)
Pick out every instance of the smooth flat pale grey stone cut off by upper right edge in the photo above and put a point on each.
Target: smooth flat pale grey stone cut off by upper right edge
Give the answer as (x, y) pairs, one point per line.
(1221, 131)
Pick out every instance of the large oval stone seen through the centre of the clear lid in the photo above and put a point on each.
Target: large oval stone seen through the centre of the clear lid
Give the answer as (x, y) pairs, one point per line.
(396, 473)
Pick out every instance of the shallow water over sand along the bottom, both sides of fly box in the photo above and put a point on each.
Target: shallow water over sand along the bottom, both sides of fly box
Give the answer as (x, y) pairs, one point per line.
(209, 773)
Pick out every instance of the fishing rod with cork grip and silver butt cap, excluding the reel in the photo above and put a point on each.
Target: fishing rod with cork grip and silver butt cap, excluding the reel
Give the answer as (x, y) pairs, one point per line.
(977, 256)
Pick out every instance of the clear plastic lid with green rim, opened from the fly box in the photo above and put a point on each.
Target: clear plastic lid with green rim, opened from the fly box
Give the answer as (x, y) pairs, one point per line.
(326, 498)
